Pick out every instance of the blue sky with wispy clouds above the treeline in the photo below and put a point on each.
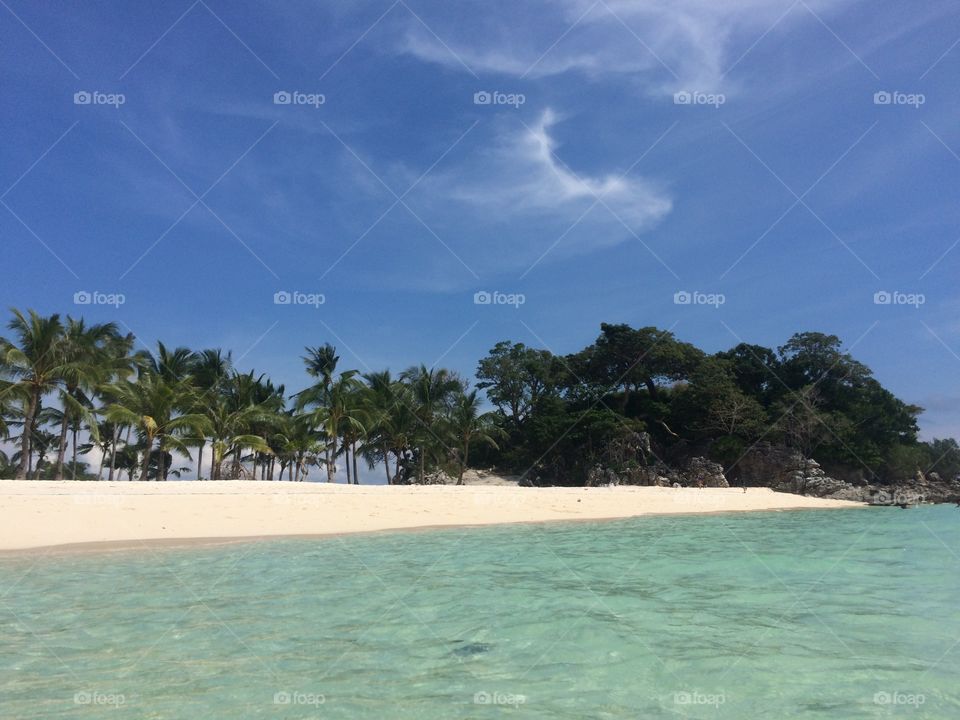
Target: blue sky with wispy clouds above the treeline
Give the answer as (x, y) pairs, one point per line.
(783, 185)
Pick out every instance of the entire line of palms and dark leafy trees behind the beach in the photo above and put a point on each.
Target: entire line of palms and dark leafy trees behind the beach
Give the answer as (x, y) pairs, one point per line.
(69, 389)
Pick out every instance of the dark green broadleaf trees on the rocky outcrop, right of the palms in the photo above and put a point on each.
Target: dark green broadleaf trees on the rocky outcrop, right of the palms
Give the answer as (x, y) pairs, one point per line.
(808, 394)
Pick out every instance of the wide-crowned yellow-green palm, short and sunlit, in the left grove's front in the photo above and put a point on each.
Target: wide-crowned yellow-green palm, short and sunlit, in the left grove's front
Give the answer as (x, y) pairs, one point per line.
(152, 404)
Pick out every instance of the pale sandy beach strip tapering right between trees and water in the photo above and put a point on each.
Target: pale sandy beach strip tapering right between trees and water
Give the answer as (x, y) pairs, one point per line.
(39, 514)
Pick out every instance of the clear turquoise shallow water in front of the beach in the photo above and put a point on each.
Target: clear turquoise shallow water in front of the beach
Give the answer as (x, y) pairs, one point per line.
(814, 614)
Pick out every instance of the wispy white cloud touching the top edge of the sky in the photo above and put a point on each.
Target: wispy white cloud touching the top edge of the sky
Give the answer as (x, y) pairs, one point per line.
(665, 44)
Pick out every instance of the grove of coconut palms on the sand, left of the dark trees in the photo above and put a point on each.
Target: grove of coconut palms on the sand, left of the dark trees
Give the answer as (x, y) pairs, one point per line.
(66, 386)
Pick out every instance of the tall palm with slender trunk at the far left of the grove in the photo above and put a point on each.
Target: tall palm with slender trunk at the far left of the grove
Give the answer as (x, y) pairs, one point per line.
(35, 363)
